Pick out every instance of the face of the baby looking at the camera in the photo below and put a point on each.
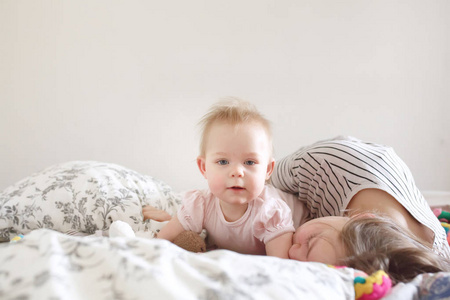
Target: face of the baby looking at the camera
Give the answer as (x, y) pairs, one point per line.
(237, 161)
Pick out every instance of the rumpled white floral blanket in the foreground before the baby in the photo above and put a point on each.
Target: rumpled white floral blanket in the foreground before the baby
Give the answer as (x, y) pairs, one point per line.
(46, 264)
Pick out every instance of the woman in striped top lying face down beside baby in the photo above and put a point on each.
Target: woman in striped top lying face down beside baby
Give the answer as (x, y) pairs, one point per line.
(367, 211)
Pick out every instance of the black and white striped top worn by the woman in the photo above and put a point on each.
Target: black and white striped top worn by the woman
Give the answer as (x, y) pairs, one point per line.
(327, 174)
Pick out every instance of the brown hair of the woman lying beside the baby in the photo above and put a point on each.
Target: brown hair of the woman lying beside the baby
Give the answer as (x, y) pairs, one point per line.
(377, 243)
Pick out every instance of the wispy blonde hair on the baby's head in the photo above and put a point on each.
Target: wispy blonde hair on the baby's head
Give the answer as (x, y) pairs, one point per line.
(235, 112)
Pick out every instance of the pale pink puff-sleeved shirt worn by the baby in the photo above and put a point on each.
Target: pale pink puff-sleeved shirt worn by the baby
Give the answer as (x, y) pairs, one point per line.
(266, 218)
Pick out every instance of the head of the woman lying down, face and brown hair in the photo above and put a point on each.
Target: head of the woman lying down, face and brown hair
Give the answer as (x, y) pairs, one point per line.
(366, 242)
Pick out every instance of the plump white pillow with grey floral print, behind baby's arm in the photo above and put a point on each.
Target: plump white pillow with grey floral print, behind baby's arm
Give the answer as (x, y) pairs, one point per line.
(84, 196)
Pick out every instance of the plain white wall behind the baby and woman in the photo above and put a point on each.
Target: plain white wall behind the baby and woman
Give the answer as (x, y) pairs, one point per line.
(126, 81)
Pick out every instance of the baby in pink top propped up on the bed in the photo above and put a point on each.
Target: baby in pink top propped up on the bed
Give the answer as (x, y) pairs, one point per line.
(239, 211)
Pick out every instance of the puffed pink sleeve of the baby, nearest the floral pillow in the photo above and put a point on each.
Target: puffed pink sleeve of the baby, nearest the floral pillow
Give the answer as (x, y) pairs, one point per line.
(192, 211)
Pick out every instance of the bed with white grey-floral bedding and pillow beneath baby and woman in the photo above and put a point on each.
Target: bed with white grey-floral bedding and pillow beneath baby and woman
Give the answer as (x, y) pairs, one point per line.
(41, 258)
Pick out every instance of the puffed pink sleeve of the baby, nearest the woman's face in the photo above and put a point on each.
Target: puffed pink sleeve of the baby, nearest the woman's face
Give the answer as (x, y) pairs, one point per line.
(273, 220)
